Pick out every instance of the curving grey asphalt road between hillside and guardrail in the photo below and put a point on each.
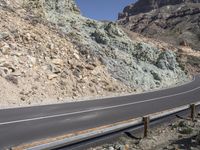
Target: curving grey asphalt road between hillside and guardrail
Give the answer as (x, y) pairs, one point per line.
(24, 125)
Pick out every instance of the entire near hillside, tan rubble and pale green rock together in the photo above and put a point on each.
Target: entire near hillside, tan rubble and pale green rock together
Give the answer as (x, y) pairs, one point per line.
(50, 53)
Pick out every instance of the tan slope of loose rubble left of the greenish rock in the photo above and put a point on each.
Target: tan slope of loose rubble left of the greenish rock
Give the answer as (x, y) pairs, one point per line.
(38, 65)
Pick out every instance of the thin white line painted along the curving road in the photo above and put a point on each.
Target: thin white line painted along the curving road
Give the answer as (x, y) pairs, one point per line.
(92, 110)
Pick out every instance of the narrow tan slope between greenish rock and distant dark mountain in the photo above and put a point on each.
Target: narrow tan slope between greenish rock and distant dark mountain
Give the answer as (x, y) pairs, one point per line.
(188, 58)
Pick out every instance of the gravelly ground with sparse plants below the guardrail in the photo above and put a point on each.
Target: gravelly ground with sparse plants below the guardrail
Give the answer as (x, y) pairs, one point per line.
(180, 135)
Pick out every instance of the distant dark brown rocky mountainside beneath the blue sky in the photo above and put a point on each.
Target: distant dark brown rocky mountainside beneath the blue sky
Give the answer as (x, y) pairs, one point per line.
(173, 21)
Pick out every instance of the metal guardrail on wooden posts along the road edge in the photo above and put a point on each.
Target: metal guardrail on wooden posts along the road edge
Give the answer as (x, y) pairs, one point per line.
(121, 127)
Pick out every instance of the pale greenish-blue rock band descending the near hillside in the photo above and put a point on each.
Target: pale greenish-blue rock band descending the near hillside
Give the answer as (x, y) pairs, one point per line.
(135, 64)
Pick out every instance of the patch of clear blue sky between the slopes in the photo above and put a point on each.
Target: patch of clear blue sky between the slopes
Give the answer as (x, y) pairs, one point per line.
(102, 9)
